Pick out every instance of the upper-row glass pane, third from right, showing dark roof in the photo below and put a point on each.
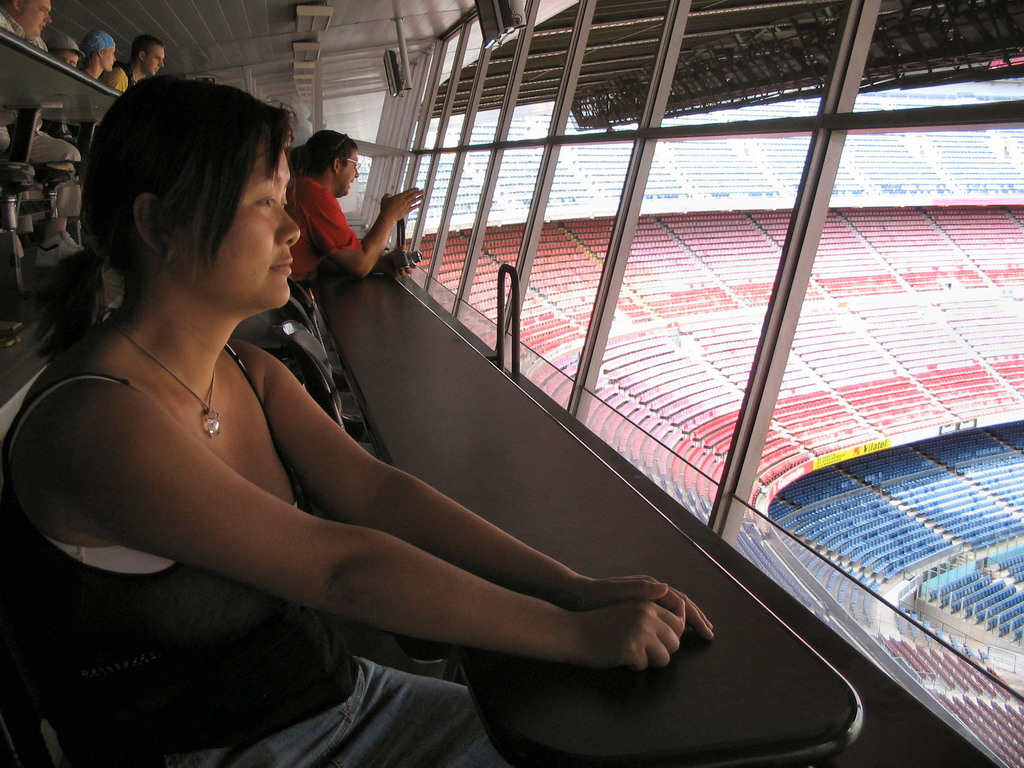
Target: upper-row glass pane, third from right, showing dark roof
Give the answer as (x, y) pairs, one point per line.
(618, 66)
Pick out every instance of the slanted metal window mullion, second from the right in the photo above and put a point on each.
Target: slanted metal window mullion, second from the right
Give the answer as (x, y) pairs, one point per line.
(625, 224)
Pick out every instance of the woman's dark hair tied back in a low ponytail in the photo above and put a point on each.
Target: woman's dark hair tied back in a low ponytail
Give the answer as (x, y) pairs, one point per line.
(151, 141)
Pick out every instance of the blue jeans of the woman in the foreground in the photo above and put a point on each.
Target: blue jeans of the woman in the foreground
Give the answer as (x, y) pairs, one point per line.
(392, 719)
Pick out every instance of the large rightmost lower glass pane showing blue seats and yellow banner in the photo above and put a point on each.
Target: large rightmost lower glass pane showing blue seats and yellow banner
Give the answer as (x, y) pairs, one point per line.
(903, 402)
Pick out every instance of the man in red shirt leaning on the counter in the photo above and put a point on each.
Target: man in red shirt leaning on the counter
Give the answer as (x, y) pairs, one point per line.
(325, 169)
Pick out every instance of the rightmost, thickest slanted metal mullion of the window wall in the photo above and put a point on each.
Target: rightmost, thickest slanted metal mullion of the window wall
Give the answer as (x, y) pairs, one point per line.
(794, 273)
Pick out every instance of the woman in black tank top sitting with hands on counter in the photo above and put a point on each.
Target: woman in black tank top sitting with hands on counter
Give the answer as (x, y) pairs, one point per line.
(182, 527)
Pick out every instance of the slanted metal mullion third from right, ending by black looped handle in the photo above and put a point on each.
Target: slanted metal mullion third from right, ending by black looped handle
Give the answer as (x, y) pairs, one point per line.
(549, 161)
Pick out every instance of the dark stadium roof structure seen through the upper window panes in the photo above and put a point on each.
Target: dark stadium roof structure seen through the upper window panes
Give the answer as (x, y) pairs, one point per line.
(739, 53)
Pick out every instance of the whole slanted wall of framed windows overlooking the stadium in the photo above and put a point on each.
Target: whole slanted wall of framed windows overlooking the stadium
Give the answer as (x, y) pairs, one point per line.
(704, 233)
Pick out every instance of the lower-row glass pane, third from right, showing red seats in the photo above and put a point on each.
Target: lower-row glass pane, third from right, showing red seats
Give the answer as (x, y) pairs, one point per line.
(571, 254)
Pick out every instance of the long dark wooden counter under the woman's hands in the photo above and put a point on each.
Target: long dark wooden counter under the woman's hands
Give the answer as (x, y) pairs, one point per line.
(445, 414)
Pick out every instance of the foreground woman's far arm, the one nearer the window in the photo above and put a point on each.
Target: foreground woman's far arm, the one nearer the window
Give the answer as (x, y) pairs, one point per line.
(362, 490)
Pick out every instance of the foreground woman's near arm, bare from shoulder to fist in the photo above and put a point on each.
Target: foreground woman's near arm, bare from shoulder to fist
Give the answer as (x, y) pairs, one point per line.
(110, 464)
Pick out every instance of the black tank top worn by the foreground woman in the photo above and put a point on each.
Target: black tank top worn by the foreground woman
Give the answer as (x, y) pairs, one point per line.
(132, 667)
